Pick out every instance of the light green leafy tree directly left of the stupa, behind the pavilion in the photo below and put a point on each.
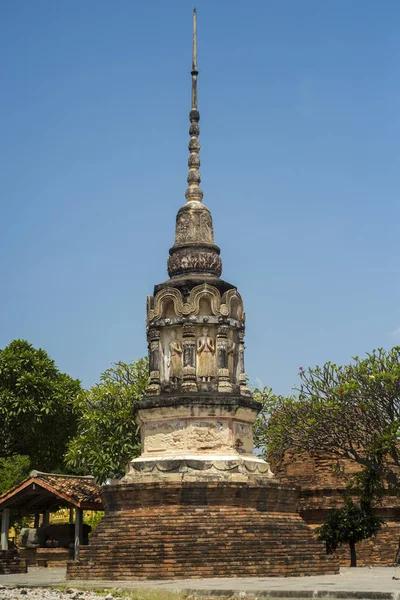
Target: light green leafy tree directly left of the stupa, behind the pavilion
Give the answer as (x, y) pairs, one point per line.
(107, 435)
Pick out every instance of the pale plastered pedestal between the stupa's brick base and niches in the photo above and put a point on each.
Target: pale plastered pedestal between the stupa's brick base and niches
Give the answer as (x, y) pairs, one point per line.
(211, 431)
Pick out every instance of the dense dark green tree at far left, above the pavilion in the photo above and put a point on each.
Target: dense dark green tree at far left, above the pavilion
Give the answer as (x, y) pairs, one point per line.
(37, 417)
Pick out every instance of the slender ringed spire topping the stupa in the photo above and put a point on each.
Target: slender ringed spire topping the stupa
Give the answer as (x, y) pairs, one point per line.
(194, 192)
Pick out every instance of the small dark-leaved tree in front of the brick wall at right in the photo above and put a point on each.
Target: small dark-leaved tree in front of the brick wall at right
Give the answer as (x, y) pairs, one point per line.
(354, 522)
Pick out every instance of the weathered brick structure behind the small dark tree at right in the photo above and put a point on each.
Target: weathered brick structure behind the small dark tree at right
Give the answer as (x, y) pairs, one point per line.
(322, 487)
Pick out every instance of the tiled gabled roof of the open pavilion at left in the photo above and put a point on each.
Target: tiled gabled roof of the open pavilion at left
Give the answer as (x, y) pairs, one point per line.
(43, 491)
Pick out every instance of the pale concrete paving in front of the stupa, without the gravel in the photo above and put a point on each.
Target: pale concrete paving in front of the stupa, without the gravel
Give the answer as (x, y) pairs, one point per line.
(380, 583)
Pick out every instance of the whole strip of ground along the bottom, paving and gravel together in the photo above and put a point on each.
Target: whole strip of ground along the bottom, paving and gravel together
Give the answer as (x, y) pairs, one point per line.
(380, 583)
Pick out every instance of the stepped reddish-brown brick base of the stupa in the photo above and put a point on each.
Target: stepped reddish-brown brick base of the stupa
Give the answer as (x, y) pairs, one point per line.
(191, 530)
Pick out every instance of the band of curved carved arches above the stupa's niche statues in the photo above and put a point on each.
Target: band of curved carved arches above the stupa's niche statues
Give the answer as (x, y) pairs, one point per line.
(219, 306)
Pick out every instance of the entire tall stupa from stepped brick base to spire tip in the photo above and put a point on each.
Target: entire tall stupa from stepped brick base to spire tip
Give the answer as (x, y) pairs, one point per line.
(198, 502)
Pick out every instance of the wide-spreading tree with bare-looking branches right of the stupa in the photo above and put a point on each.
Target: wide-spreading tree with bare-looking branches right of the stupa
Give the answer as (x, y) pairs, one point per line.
(352, 411)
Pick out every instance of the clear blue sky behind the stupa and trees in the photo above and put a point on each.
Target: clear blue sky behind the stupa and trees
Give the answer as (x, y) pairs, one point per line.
(300, 132)
